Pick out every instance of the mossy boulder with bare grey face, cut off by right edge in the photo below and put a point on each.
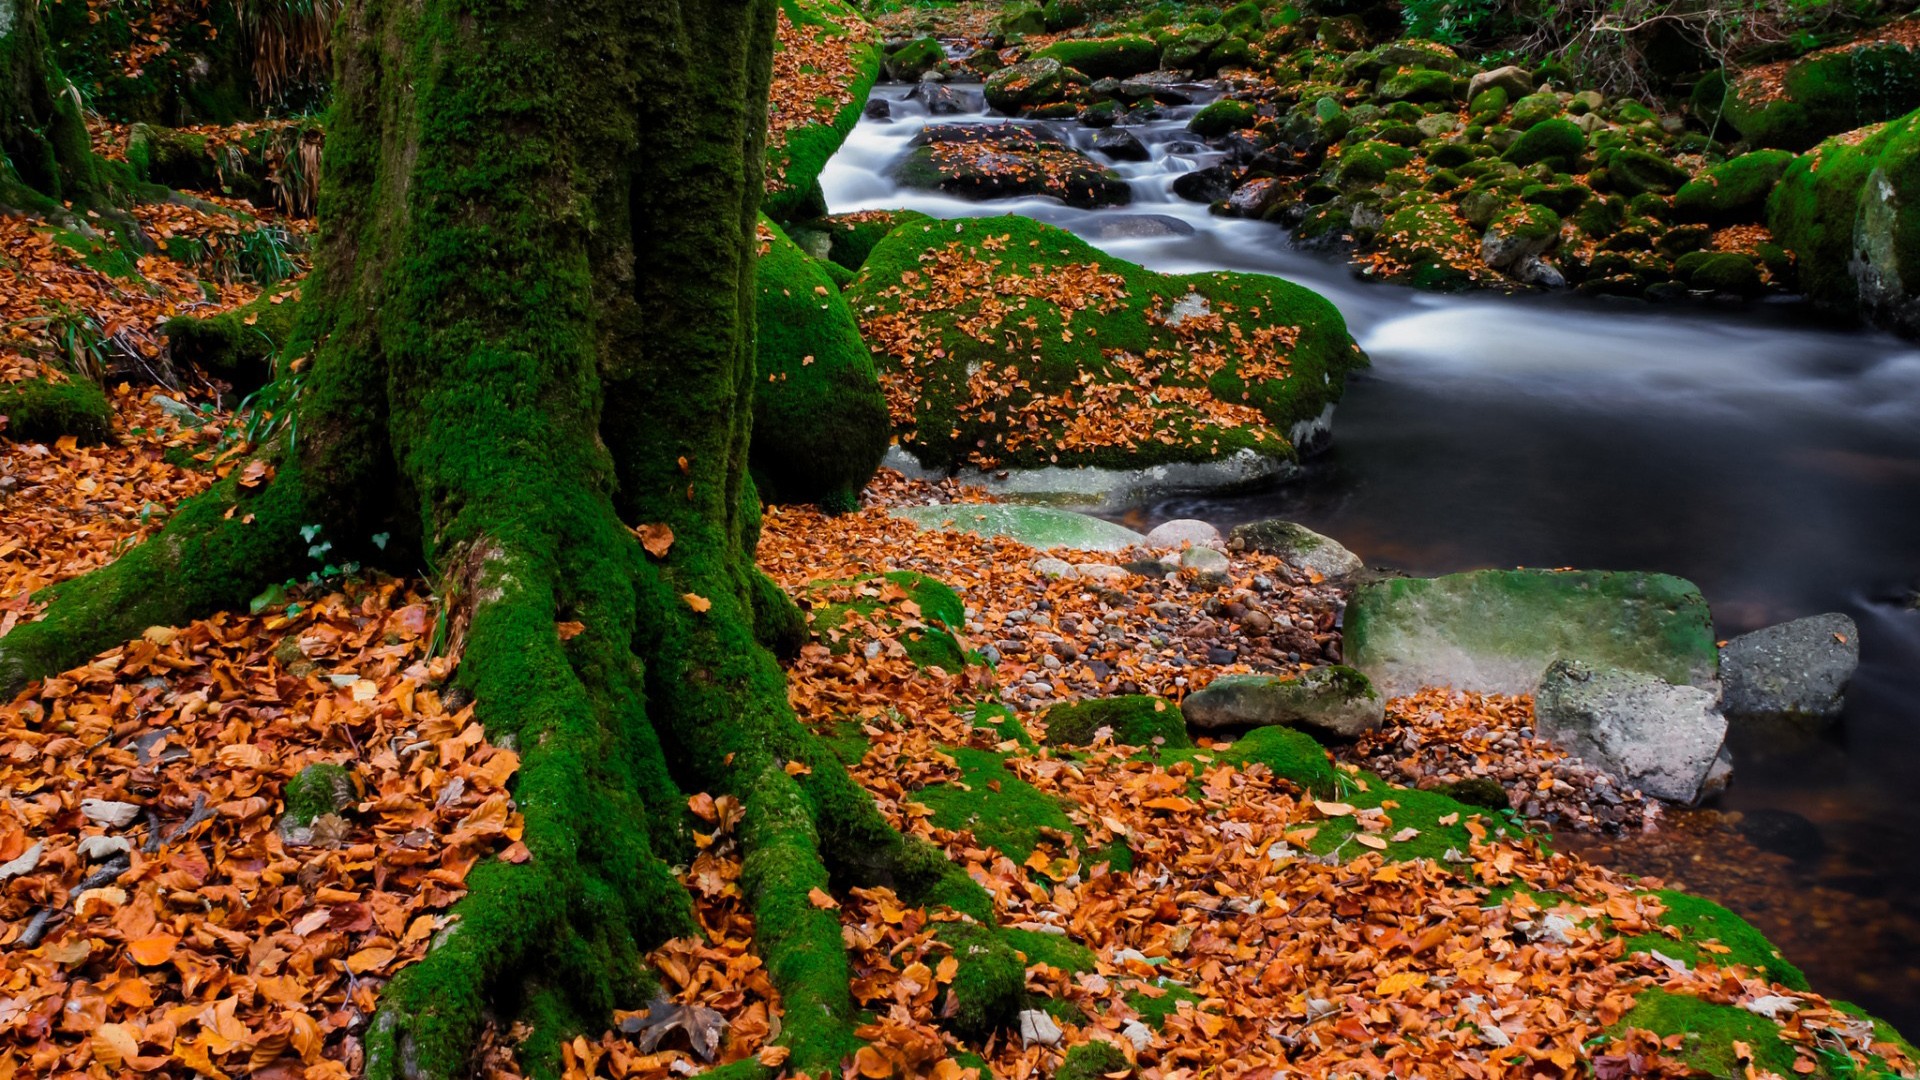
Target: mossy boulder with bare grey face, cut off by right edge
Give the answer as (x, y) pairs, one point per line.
(1850, 212)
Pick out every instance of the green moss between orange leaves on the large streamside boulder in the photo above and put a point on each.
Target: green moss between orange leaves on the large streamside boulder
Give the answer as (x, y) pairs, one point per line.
(1070, 347)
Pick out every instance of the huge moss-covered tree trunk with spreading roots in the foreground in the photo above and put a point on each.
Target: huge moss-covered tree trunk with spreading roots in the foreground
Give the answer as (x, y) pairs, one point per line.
(533, 331)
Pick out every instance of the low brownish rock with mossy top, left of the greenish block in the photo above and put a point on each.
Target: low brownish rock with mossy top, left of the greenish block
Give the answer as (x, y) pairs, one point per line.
(1328, 700)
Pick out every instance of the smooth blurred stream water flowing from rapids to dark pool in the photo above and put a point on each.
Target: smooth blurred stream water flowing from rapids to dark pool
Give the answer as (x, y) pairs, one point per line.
(1769, 460)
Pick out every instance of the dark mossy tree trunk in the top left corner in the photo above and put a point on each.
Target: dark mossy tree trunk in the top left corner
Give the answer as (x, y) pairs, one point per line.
(43, 139)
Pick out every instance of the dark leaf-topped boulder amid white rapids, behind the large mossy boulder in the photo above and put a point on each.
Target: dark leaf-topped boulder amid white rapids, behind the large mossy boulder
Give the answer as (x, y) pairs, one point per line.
(976, 160)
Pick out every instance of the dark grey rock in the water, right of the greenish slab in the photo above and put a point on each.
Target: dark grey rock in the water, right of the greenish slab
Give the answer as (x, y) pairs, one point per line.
(1794, 672)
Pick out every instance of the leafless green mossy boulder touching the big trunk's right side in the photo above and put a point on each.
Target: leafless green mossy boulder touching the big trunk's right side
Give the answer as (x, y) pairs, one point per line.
(819, 418)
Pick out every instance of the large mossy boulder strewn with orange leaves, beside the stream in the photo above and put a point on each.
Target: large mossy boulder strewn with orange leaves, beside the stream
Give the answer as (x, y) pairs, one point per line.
(1078, 358)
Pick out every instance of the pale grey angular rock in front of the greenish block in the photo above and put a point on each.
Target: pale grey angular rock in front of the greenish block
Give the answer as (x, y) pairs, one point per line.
(1646, 731)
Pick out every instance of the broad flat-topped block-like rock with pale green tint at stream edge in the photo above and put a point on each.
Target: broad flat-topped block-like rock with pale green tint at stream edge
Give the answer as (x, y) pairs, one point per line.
(1499, 631)
